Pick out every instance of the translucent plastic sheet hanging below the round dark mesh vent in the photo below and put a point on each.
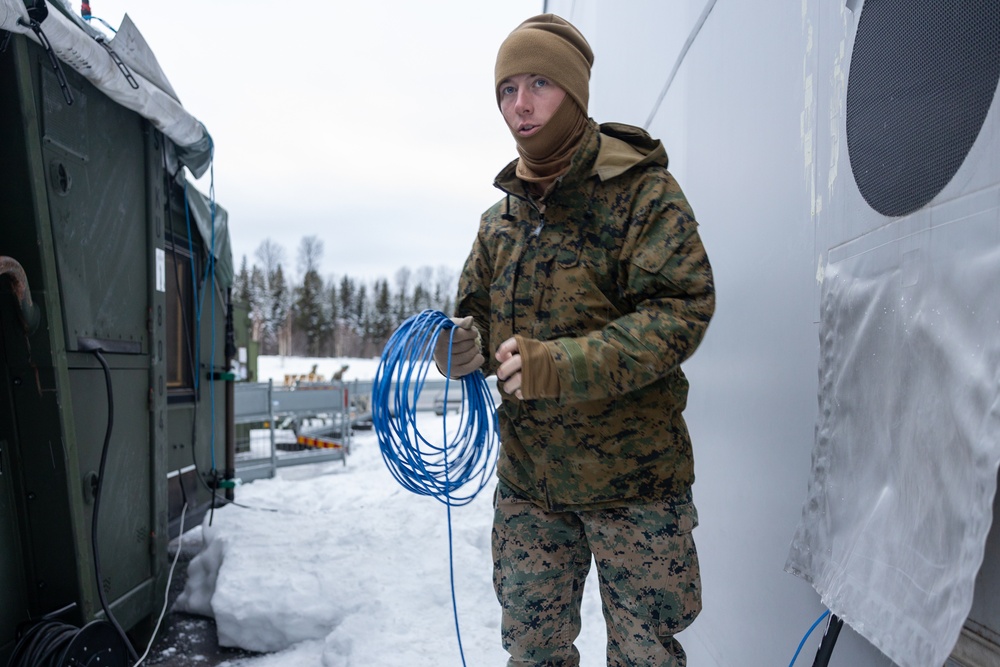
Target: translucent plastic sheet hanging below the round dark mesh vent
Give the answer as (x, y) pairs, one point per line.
(908, 437)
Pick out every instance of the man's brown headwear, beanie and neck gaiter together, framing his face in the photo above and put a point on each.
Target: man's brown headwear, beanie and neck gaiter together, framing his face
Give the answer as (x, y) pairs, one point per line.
(549, 46)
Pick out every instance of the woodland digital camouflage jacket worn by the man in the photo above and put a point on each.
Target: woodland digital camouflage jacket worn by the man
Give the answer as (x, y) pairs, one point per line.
(610, 272)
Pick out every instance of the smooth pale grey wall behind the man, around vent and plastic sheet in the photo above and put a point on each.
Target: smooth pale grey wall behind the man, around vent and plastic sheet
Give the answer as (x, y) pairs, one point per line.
(753, 119)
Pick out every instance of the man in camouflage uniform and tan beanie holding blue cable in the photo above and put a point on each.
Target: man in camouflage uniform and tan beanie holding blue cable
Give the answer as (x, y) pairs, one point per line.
(590, 285)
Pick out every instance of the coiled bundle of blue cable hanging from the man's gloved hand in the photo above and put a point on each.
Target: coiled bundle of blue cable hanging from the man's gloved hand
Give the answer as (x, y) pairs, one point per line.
(419, 464)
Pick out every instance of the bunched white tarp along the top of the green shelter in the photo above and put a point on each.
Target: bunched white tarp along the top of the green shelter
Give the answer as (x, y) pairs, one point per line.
(77, 49)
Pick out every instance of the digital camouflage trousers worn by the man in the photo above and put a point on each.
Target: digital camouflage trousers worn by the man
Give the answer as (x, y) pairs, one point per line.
(647, 570)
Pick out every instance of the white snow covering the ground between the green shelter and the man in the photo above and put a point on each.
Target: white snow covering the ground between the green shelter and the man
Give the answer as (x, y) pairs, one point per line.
(338, 565)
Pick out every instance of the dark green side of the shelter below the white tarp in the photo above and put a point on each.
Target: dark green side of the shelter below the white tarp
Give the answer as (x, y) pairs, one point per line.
(91, 212)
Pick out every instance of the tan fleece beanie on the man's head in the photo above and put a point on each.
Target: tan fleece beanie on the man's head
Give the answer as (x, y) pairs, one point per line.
(550, 46)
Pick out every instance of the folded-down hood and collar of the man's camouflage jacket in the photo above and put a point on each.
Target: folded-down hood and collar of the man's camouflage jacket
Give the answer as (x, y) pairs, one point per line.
(606, 150)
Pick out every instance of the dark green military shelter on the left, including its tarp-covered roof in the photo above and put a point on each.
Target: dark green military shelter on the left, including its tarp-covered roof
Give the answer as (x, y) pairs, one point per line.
(114, 346)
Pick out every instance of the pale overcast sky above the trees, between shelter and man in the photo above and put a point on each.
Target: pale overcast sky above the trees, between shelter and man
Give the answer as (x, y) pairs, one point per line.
(371, 125)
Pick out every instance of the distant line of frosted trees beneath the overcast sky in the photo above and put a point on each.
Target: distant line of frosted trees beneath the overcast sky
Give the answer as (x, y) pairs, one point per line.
(335, 317)
